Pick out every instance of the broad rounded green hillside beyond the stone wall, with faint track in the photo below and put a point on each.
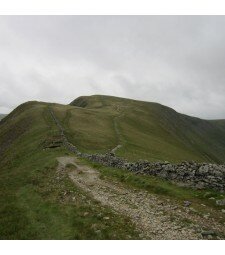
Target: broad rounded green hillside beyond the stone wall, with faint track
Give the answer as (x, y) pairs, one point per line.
(146, 130)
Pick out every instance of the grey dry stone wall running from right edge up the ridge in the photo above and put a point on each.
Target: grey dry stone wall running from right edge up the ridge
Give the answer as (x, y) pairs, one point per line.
(196, 175)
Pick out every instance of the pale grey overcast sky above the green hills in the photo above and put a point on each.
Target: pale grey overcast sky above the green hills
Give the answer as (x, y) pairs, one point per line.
(178, 61)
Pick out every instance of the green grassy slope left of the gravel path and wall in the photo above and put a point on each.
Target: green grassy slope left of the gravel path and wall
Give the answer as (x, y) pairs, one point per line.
(35, 202)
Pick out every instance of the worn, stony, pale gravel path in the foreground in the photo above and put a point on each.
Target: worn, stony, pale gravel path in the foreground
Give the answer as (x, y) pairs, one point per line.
(153, 217)
